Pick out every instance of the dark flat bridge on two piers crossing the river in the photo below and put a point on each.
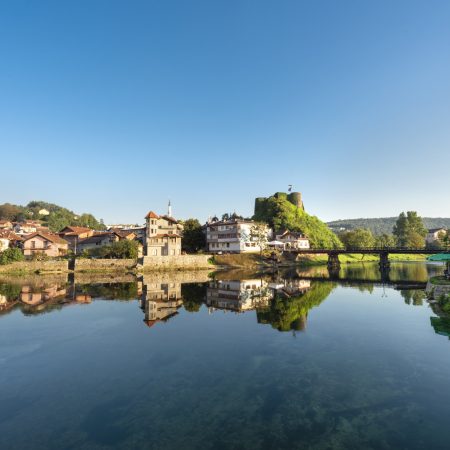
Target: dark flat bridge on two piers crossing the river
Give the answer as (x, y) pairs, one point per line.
(382, 252)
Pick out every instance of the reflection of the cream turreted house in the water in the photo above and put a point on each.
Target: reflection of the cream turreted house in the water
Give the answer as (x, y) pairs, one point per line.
(160, 301)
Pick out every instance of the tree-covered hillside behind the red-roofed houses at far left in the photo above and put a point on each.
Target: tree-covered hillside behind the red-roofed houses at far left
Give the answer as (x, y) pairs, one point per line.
(57, 218)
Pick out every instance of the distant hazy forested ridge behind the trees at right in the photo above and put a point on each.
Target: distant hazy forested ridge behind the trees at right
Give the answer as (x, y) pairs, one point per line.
(383, 225)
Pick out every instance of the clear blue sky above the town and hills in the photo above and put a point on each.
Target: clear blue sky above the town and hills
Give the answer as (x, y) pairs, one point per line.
(113, 107)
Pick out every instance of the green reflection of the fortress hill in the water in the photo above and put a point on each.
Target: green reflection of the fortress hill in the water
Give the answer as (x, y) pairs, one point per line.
(286, 314)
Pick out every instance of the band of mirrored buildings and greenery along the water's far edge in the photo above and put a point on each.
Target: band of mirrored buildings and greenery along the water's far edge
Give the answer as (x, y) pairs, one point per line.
(281, 299)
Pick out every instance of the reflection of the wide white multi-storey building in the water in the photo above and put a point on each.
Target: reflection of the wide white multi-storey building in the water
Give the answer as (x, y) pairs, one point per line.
(238, 295)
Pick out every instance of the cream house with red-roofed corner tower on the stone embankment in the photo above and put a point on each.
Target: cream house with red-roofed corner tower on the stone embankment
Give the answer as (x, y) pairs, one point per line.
(163, 235)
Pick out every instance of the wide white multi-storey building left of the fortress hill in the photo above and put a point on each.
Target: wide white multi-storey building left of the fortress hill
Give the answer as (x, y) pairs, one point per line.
(232, 236)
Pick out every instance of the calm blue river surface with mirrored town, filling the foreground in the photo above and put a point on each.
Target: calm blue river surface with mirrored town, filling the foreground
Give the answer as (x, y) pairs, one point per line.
(295, 360)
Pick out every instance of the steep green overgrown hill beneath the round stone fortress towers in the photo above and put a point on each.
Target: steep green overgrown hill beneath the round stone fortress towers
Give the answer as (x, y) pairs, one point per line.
(281, 212)
